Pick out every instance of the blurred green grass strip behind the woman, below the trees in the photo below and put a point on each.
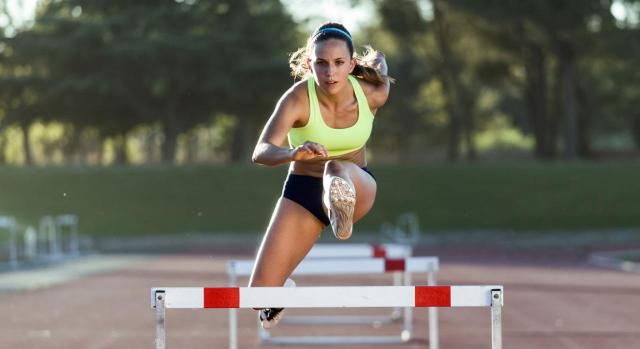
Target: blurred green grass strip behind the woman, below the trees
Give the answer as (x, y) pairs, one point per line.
(147, 200)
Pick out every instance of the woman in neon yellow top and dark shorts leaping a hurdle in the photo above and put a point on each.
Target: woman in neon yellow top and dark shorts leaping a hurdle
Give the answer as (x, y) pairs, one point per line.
(327, 117)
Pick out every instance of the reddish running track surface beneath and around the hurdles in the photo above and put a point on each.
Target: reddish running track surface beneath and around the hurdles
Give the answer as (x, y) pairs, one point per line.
(564, 305)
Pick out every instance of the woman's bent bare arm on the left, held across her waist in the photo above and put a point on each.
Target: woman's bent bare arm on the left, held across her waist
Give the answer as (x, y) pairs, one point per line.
(289, 110)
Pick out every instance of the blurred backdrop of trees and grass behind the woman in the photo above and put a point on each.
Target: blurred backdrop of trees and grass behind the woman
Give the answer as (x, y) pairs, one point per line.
(139, 117)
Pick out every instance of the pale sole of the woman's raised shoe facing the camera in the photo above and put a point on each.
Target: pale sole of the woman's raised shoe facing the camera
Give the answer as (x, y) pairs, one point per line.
(342, 201)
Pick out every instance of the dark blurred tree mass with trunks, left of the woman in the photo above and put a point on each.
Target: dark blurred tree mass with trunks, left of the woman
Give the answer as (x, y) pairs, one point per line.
(116, 64)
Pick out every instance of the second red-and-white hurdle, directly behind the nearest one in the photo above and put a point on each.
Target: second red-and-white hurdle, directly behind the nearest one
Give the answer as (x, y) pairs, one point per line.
(347, 266)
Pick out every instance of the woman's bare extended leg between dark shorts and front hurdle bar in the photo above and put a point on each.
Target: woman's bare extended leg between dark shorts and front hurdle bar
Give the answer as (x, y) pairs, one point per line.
(291, 233)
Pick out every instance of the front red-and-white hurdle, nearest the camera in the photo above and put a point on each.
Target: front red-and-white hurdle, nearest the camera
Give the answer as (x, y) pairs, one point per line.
(163, 298)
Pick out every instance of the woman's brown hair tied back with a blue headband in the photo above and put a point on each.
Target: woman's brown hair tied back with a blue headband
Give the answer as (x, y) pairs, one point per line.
(366, 68)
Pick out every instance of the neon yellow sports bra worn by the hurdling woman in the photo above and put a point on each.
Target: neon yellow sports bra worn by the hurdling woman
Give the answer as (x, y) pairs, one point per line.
(337, 141)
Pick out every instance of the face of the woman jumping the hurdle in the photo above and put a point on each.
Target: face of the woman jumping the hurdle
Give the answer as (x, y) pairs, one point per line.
(331, 63)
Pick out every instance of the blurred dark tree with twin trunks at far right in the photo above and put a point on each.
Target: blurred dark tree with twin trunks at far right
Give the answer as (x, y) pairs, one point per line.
(550, 39)
